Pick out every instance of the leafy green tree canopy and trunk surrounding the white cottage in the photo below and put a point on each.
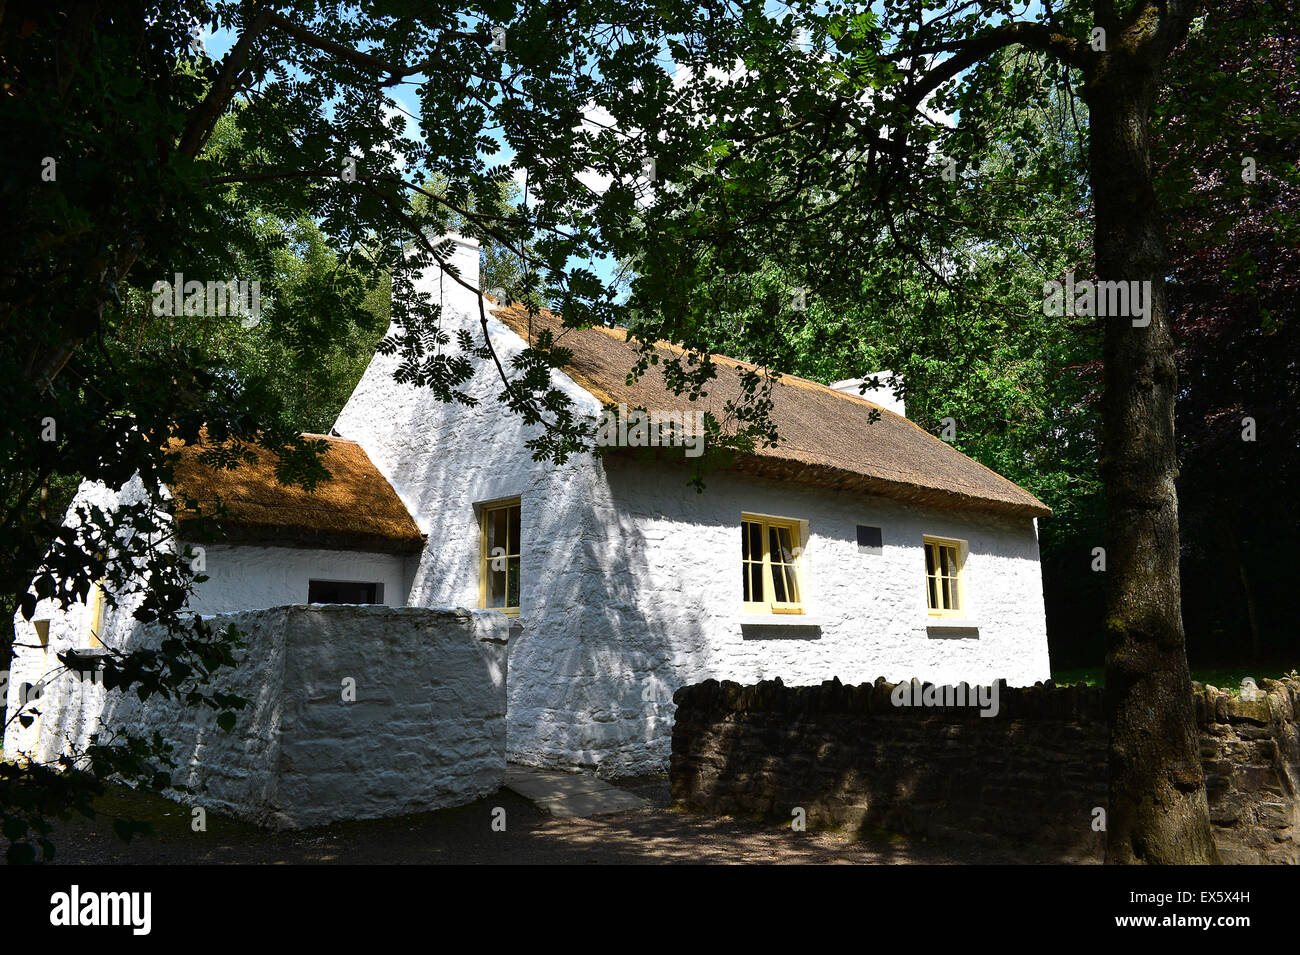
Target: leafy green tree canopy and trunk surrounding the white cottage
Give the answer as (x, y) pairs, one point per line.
(882, 185)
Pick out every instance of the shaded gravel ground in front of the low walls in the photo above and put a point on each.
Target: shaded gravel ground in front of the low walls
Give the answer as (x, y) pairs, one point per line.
(465, 835)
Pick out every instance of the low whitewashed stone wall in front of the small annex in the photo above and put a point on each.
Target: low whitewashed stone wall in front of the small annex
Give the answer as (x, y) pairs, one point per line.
(427, 728)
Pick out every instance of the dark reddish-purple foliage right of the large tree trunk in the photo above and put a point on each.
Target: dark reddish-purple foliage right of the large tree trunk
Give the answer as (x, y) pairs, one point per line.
(1232, 107)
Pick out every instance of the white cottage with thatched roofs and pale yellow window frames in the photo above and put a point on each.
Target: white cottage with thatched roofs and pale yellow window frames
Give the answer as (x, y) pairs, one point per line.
(857, 549)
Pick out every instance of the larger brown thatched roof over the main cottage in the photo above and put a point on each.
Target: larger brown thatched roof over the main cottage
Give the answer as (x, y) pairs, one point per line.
(826, 436)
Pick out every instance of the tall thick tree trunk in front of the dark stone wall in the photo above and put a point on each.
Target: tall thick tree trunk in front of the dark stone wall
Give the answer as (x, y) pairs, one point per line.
(1158, 810)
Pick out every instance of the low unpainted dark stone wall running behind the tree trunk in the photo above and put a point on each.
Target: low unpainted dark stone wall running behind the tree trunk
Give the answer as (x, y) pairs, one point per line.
(1033, 775)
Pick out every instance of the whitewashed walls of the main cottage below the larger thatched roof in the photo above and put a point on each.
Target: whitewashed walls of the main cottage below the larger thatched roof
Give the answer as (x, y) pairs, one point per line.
(631, 580)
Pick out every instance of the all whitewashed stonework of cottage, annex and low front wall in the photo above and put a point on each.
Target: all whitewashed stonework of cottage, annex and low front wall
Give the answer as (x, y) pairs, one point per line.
(631, 589)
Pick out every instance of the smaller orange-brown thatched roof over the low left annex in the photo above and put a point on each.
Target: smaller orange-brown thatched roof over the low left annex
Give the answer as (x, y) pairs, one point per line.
(357, 509)
